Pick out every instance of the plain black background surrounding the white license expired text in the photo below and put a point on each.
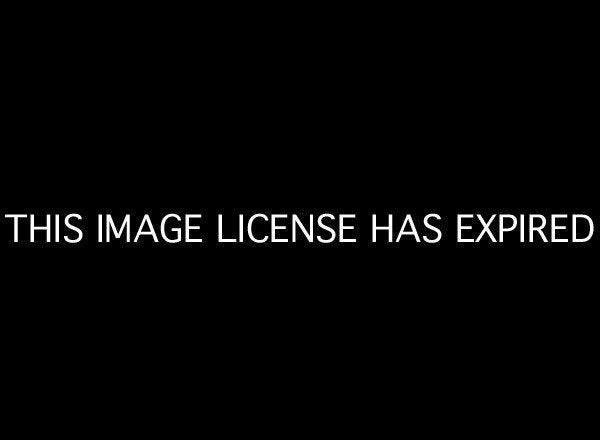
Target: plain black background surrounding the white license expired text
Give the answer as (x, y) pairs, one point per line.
(368, 113)
